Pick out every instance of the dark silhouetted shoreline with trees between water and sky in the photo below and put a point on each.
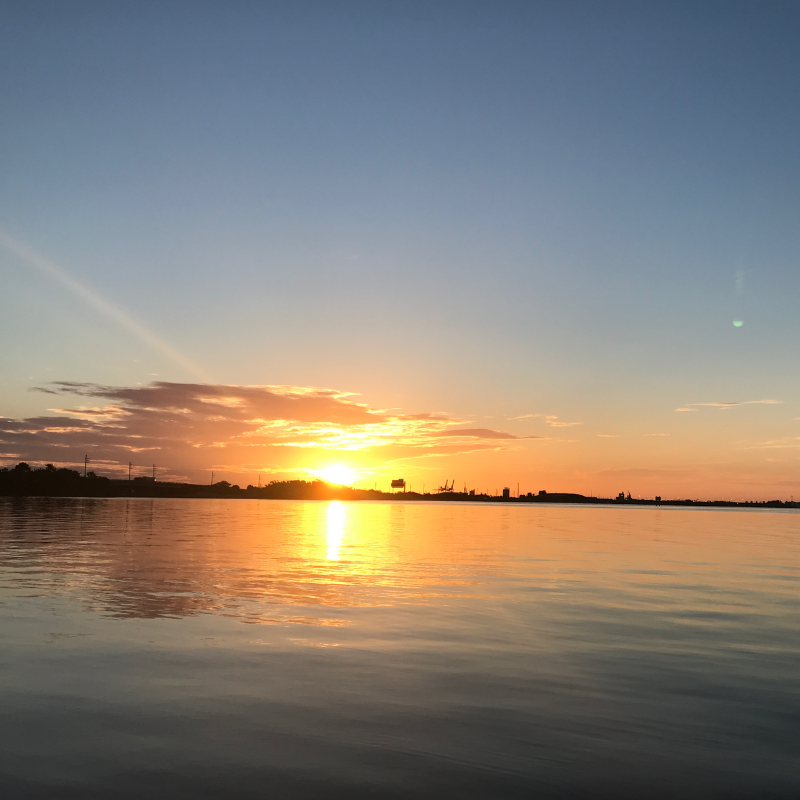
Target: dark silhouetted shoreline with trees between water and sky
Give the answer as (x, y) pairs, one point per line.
(24, 481)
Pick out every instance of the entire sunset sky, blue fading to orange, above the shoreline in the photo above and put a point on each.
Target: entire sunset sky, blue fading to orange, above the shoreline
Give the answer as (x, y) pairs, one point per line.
(546, 245)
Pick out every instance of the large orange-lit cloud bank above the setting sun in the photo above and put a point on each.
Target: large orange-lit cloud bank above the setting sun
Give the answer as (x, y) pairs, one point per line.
(192, 427)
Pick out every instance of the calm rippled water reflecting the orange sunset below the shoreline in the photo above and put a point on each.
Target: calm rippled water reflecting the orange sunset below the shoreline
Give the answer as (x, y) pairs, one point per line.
(211, 648)
